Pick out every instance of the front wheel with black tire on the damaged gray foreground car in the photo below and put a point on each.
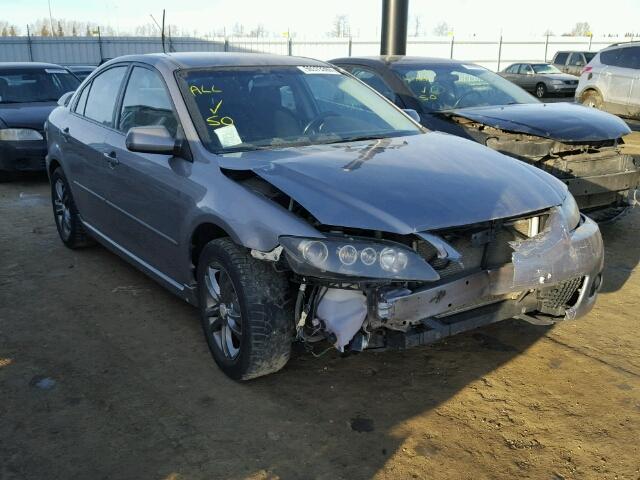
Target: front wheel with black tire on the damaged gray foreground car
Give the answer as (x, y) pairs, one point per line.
(246, 311)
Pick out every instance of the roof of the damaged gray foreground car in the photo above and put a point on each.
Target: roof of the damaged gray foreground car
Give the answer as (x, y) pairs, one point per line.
(182, 60)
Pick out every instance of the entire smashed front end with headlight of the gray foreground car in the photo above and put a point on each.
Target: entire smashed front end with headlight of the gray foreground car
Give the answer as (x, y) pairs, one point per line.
(362, 290)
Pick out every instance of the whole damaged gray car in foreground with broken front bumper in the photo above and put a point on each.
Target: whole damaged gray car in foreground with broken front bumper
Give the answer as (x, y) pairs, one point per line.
(290, 202)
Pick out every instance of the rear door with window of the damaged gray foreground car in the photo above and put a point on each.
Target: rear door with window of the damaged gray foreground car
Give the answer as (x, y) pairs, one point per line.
(85, 149)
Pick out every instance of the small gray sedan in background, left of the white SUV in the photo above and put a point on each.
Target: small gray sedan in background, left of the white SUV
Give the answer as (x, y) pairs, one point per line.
(541, 79)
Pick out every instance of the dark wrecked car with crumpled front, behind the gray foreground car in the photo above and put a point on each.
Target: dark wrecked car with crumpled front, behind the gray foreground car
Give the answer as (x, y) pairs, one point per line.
(580, 146)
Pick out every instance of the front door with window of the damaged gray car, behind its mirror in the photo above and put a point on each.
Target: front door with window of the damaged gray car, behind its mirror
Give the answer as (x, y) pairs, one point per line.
(148, 191)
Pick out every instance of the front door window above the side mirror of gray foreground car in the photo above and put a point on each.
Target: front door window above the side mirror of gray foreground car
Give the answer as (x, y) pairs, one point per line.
(146, 103)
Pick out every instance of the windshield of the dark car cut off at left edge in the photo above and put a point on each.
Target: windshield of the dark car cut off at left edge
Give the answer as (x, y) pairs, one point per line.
(31, 85)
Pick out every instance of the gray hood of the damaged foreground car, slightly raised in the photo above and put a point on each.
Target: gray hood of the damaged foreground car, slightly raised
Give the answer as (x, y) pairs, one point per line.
(403, 185)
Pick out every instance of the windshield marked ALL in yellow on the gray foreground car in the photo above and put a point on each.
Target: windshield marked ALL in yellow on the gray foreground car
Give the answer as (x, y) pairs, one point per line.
(248, 108)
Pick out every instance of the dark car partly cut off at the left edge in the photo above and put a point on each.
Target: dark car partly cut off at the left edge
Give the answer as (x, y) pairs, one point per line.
(28, 94)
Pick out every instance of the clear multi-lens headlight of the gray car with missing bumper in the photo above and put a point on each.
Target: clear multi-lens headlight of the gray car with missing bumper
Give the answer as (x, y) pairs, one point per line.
(356, 257)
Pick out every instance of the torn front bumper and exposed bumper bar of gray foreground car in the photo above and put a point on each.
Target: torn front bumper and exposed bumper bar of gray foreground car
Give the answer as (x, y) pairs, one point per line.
(541, 267)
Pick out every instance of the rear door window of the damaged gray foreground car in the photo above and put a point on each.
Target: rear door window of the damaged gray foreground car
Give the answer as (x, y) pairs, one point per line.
(104, 95)
